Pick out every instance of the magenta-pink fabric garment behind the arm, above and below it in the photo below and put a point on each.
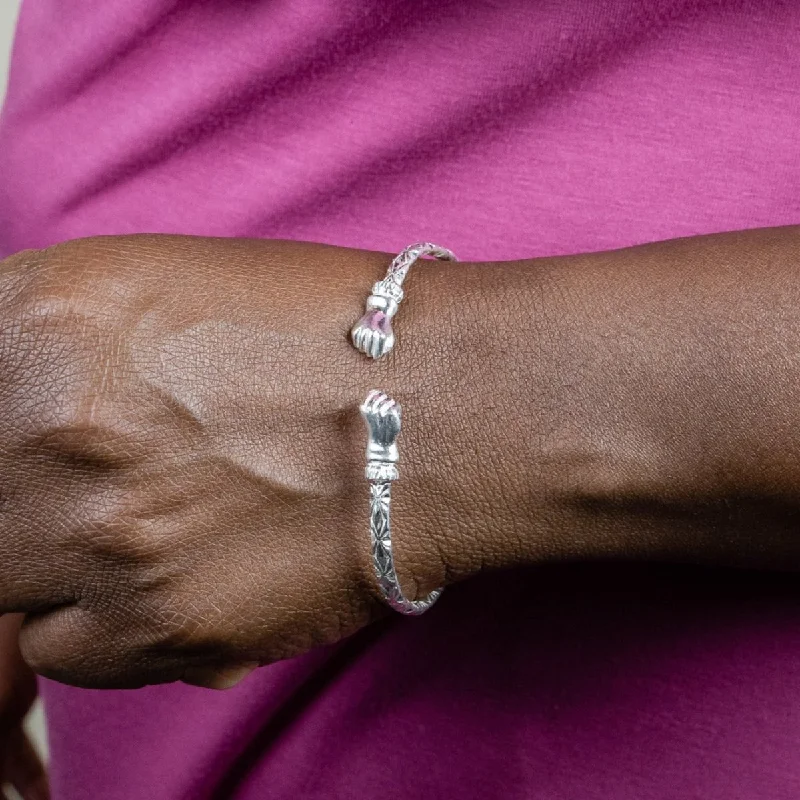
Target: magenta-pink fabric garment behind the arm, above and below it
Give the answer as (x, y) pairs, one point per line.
(502, 130)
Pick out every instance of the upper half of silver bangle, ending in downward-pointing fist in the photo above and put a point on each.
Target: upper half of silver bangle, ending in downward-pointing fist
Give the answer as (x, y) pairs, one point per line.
(373, 334)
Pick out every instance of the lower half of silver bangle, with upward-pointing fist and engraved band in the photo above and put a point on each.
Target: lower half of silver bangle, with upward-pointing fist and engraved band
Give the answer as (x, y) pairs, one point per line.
(382, 415)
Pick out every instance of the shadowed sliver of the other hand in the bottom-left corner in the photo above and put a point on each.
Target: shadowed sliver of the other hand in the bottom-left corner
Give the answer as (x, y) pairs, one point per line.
(20, 766)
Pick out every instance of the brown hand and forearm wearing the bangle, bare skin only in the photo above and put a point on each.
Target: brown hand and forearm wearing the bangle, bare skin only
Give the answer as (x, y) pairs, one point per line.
(181, 455)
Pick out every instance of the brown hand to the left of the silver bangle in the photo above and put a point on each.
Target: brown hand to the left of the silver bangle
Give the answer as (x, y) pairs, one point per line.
(181, 456)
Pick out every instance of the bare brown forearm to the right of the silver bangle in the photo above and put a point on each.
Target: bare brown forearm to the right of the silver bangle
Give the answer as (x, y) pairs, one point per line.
(633, 404)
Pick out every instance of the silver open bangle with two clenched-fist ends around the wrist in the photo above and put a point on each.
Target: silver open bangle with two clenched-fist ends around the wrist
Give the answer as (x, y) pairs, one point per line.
(373, 336)
